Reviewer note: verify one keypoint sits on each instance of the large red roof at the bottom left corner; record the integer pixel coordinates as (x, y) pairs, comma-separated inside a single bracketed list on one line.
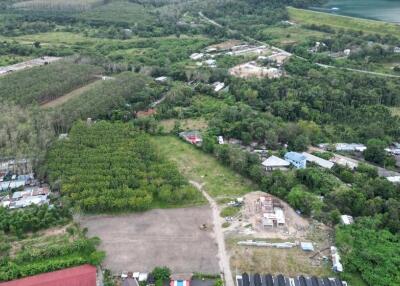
[(84, 275)]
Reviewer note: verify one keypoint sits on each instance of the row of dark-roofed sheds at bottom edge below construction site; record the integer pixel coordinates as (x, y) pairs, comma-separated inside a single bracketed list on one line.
[(280, 280)]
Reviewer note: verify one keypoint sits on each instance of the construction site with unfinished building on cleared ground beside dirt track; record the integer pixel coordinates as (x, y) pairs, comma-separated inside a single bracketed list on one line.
[(269, 236)]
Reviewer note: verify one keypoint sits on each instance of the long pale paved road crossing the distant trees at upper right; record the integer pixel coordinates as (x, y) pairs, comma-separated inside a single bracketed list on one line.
[(212, 22)]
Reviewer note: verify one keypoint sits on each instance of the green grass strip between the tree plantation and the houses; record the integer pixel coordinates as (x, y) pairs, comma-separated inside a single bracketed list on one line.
[(220, 181)]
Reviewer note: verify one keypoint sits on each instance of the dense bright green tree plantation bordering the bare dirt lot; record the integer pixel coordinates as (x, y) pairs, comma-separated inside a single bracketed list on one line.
[(110, 167)]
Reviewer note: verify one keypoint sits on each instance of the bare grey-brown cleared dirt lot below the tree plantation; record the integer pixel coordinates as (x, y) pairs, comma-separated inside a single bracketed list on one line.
[(170, 237)]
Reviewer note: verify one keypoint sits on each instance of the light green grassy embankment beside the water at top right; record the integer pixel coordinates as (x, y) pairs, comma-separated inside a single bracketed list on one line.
[(302, 16)]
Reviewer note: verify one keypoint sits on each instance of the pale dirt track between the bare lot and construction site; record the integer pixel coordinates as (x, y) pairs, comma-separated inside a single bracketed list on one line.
[(223, 256)]
